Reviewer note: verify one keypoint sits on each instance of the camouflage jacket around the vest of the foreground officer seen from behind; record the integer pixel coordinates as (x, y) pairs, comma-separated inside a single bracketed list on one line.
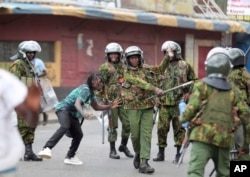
[(213, 133)]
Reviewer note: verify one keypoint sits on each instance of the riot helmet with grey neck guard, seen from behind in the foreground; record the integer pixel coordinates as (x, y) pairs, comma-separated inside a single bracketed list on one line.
[(218, 67)]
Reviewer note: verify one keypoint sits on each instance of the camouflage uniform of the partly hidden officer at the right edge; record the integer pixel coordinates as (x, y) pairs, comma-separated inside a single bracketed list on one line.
[(241, 79)]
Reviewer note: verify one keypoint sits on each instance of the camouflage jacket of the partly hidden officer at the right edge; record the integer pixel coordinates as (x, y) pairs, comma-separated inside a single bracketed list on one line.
[(241, 78)]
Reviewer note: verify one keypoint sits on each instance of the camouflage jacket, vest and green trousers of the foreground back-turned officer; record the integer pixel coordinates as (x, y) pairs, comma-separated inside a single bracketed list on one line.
[(211, 135)]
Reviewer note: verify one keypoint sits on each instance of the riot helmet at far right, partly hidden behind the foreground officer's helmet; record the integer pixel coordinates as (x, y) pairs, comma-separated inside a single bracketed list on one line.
[(237, 57)]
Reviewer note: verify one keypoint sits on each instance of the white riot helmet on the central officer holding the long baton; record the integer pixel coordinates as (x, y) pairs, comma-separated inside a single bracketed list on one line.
[(134, 51)]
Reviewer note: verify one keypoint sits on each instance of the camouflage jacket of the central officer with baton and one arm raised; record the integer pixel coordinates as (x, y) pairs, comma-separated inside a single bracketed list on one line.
[(140, 83)]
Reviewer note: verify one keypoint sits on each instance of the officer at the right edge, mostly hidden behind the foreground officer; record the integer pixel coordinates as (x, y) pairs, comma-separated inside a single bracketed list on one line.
[(240, 77)]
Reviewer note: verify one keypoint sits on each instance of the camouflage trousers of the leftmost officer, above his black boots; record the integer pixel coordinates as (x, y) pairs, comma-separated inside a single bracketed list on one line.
[(26, 132)]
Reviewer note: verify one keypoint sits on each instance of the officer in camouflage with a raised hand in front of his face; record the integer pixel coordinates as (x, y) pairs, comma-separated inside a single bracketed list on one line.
[(178, 72)]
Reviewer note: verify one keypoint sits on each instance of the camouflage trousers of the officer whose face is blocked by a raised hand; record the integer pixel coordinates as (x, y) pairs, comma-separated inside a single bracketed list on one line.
[(168, 114)]
